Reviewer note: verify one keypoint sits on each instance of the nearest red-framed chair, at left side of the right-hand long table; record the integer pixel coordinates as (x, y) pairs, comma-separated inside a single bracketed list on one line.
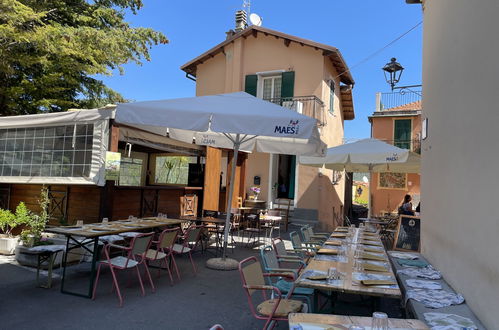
[(277, 308)]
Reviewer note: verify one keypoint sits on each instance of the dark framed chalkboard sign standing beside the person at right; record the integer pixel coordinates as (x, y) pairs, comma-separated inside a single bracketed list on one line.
[(408, 237)]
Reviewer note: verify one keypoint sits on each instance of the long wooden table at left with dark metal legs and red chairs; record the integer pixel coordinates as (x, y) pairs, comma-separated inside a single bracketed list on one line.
[(89, 235)]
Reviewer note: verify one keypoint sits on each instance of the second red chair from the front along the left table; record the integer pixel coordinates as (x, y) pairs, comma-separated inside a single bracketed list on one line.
[(163, 251)]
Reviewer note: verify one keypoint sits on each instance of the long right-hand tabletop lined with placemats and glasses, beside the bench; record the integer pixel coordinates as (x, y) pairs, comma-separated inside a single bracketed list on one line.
[(358, 261)]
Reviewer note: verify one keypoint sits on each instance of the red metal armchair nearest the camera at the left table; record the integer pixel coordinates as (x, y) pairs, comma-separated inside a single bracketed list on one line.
[(138, 247)]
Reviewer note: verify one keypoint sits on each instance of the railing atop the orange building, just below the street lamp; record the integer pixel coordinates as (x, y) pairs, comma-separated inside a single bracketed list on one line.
[(401, 100)]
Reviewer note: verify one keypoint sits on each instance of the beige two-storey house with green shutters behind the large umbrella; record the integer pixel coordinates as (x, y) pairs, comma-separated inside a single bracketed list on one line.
[(305, 76)]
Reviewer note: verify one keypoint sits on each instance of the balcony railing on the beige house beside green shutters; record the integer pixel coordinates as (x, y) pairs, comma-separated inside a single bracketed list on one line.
[(310, 106)]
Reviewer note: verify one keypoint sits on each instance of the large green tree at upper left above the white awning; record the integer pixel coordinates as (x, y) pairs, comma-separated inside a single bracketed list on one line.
[(50, 52)]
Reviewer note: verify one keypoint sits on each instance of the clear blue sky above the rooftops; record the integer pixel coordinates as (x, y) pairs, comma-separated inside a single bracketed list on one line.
[(357, 28)]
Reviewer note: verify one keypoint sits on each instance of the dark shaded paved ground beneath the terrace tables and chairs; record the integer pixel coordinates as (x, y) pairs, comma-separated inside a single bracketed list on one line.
[(195, 302)]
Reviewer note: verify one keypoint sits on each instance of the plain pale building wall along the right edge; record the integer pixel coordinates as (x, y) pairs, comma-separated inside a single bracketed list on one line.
[(460, 164)]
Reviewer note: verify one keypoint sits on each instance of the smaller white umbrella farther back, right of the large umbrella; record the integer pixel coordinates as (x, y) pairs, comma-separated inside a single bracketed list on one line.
[(368, 155)]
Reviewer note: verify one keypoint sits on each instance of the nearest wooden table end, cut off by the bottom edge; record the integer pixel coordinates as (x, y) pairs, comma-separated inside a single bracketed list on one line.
[(340, 320)]
